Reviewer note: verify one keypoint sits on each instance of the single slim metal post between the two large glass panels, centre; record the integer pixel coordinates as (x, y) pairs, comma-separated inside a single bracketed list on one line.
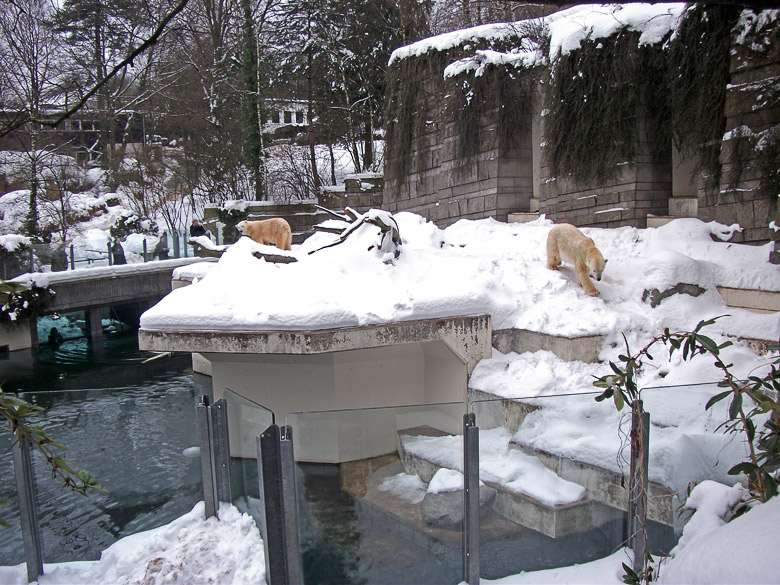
[(470, 499)]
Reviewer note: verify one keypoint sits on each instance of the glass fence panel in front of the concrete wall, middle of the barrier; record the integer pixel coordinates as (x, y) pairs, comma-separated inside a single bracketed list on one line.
[(373, 506)]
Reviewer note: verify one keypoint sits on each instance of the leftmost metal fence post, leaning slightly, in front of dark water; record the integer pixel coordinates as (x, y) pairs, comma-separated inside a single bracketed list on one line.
[(25, 489)]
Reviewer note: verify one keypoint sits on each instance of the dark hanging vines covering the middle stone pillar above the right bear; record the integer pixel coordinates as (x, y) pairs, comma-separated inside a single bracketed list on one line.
[(595, 97)]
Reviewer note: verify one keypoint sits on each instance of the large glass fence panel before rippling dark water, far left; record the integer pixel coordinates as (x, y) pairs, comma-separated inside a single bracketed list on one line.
[(140, 444)]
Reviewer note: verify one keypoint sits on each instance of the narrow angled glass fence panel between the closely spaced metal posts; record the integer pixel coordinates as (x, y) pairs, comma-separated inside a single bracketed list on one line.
[(246, 420)]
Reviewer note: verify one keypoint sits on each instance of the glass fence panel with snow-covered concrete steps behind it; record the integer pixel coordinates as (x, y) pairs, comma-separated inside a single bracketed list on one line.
[(552, 472)]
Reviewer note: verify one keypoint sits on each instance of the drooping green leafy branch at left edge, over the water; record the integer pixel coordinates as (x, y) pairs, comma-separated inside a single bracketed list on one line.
[(18, 413)]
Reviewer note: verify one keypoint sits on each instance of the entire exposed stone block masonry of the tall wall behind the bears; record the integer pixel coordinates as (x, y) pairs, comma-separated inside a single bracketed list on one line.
[(503, 176)]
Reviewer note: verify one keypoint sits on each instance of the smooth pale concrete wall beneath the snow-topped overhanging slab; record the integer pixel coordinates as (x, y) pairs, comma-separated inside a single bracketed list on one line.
[(350, 382)]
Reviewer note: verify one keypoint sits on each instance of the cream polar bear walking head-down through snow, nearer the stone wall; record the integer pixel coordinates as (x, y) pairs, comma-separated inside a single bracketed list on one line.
[(566, 242)]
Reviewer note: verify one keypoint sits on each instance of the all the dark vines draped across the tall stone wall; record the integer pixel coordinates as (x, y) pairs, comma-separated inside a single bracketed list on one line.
[(599, 101)]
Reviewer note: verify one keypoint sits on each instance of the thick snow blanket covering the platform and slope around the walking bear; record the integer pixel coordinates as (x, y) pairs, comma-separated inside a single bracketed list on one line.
[(478, 267)]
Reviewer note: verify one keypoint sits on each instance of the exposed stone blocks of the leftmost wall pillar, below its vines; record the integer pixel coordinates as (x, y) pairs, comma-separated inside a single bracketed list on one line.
[(442, 184)]
